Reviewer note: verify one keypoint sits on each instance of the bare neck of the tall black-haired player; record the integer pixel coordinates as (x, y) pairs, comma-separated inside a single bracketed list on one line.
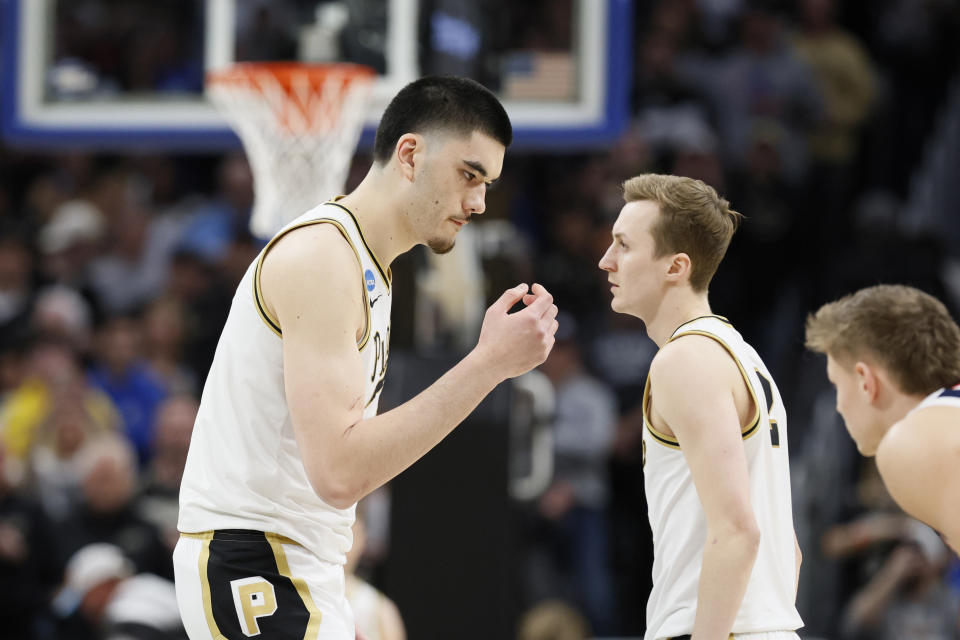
[(373, 206)]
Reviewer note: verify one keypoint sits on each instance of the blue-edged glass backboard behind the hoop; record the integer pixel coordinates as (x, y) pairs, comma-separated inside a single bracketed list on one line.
[(128, 74)]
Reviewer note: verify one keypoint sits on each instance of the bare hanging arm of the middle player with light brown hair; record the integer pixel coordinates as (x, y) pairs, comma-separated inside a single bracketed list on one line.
[(692, 383)]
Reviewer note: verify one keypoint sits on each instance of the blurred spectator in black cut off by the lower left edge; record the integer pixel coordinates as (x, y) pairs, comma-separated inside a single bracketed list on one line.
[(30, 565)]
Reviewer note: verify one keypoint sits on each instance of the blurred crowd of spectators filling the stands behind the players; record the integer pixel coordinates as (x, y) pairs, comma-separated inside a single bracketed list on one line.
[(811, 117)]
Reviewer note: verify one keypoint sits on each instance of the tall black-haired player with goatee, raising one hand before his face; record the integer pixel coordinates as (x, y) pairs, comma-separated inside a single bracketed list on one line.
[(287, 439)]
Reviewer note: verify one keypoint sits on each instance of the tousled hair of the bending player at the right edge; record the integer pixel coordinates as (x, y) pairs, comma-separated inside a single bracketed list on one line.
[(908, 332)]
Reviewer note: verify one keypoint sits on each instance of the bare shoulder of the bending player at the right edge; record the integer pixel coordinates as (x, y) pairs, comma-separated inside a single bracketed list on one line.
[(925, 441)]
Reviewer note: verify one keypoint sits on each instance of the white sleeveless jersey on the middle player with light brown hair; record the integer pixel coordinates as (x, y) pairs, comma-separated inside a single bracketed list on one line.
[(680, 526)]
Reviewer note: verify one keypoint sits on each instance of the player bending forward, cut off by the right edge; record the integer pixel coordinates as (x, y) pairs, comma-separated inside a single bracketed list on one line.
[(893, 353)]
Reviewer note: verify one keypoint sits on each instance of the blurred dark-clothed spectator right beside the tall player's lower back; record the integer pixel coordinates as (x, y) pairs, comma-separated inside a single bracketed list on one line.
[(160, 490)]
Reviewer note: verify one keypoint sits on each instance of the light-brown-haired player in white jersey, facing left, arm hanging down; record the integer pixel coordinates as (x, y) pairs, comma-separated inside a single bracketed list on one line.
[(716, 466)]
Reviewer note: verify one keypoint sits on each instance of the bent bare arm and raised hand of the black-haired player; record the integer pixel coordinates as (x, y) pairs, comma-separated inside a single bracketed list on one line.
[(311, 280)]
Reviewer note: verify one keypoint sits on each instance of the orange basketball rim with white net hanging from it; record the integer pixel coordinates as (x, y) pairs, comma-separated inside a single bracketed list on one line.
[(299, 124)]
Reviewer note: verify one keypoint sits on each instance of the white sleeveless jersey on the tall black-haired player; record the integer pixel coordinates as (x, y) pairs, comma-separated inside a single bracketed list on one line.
[(244, 470)]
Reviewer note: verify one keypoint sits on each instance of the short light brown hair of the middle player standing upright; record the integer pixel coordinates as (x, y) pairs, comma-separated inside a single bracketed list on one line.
[(693, 219)]
